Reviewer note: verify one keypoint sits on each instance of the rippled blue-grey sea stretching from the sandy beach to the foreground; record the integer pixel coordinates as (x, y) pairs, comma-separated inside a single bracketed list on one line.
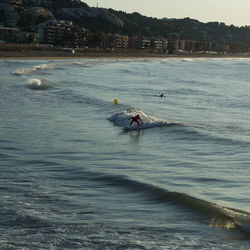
[(74, 175)]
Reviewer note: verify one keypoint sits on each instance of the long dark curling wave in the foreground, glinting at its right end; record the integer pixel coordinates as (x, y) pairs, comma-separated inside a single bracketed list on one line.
[(209, 212)]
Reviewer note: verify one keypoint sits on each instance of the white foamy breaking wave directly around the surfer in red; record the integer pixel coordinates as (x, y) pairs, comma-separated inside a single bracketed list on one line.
[(121, 119)]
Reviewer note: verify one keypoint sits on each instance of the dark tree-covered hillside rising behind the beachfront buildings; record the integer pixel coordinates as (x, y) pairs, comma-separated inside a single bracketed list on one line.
[(18, 13)]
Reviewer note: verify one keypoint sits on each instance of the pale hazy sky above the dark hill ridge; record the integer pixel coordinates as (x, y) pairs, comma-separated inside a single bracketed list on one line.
[(236, 12)]
